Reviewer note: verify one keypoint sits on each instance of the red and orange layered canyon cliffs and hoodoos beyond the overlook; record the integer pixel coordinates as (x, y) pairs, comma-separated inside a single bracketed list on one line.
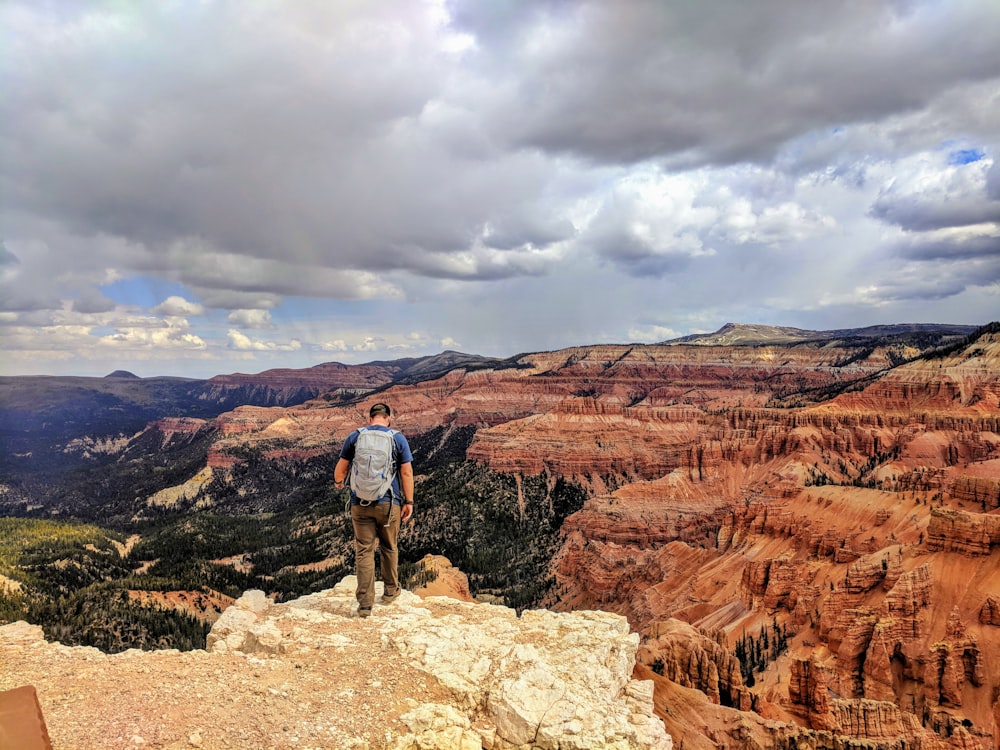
[(803, 531)]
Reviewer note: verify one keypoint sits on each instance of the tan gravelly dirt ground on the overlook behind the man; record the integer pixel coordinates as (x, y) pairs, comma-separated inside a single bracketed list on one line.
[(338, 693)]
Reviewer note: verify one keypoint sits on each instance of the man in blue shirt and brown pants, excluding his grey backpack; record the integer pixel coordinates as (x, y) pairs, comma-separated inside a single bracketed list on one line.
[(376, 521)]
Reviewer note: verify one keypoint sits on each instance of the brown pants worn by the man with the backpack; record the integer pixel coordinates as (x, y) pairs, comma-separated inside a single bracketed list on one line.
[(375, 526)]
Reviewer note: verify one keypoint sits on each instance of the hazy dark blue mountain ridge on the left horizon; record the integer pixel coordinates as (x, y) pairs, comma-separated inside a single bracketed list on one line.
[(42, 417)]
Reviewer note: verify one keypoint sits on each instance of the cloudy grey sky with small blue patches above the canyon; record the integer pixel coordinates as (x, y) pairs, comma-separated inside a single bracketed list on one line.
[(199, 187)]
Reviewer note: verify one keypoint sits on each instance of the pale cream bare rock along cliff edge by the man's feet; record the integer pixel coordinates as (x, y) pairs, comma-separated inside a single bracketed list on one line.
[(539, 680)]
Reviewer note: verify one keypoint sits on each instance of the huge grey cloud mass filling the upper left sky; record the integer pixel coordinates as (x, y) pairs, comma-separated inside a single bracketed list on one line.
[(312, 140)]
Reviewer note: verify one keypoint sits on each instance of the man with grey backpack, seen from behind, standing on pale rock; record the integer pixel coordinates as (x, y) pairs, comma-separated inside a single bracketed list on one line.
[(381, 478)]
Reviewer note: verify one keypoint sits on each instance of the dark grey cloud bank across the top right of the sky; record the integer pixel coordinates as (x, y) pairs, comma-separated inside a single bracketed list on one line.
[(719, 82)]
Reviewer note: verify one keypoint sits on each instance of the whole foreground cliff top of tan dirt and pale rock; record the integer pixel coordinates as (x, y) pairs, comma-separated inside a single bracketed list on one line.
[(420, 673)]
